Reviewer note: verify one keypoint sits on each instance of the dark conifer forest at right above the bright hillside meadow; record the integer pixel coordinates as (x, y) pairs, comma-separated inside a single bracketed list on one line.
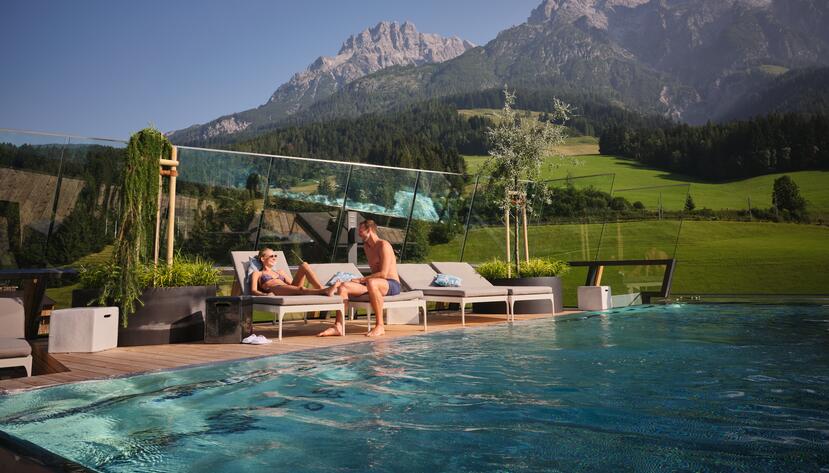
[(769, 144)]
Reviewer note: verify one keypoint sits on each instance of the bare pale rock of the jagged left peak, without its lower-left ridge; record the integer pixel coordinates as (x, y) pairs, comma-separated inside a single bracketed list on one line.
[(387, 44)]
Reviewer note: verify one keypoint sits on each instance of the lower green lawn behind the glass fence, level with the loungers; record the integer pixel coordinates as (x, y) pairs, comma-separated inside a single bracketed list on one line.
[(713, 257)]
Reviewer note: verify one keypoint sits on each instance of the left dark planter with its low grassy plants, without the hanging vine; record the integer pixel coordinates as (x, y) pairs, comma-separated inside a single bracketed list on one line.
[(171, 304)]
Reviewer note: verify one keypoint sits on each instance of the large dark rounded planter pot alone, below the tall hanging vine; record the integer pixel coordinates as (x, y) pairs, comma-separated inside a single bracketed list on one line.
[(169, 315)]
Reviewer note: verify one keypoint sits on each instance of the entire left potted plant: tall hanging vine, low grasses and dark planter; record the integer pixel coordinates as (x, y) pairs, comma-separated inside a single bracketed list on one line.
[(151, 311)]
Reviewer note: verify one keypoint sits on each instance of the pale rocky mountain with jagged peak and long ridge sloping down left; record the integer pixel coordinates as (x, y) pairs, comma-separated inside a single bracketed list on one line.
[(386, 44)]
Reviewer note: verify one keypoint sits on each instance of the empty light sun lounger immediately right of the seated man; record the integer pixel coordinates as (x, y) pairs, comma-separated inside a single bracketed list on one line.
[(419, 277)]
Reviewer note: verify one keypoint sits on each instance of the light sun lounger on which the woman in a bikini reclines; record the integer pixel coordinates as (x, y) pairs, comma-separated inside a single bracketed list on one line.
[(281, 305)]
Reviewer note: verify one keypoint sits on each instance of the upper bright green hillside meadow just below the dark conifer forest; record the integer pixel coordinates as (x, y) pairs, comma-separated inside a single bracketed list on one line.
[(630, 177)]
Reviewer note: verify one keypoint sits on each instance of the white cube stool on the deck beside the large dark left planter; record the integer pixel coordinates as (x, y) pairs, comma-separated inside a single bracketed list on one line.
[(83, 330)]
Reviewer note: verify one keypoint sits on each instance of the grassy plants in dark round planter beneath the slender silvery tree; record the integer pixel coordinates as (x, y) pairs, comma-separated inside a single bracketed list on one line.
[(534, 272)]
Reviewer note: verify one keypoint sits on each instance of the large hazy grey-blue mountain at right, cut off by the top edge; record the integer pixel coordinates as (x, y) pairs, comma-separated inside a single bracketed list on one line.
[(691, 60)]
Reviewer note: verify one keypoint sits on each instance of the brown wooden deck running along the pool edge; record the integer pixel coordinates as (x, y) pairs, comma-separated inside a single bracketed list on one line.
[(297, 336)]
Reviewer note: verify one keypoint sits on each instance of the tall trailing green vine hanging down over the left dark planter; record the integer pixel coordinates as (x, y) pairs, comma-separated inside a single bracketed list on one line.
[(139, 204)]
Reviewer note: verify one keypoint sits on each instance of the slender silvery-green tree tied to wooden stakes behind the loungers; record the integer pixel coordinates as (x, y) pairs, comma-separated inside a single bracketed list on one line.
[(517, 148)]
